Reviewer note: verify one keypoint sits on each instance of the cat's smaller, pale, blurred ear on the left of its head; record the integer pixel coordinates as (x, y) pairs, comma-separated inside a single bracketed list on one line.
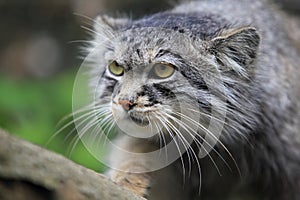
[(104, 23)]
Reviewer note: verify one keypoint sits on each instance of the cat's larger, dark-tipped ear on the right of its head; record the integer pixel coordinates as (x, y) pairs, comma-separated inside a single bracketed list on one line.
[(237, 48)]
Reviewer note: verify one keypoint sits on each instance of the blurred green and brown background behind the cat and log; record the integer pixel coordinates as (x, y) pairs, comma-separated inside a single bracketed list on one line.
[(39, 49)]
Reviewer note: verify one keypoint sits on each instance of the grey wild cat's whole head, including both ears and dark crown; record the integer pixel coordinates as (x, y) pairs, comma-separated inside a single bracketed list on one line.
[(171, 71)]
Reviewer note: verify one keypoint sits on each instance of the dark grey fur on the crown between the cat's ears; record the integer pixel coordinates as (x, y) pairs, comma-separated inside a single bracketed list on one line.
[(194, 24)]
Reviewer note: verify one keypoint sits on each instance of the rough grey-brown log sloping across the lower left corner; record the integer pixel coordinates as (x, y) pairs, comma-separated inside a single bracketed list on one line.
[(30, 172)]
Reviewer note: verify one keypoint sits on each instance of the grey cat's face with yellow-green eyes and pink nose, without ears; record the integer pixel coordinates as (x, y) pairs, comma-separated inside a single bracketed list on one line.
[(148, 82)]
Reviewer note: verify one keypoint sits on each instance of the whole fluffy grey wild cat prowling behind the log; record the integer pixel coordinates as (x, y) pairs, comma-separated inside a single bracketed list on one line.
[(232, 57)]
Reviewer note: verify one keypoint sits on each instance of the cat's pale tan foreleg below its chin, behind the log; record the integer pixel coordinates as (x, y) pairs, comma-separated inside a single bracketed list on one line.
[(128, 171)]
